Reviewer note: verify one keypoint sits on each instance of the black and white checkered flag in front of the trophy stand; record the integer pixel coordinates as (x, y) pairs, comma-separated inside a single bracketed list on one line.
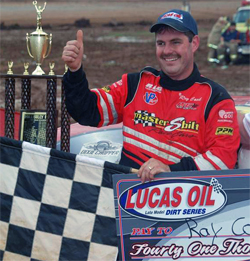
[(54, 205)]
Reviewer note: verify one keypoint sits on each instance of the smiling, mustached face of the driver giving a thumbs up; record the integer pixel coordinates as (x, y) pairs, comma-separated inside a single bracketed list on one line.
[(175, 53)]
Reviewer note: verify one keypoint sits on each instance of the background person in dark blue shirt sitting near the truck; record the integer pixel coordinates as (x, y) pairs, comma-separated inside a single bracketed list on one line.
[(229, 39)]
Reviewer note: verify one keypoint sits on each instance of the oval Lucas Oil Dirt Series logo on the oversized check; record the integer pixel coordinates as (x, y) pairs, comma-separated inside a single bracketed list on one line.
[(173, 199)]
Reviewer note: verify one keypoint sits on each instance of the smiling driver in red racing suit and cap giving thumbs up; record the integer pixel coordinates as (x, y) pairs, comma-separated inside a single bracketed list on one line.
[(173, 119)]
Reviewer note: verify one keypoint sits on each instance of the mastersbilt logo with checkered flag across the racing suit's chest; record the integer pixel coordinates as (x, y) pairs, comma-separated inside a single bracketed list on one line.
[(149, 119)]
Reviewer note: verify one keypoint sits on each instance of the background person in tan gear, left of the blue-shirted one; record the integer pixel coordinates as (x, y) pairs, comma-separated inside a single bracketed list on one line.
[(213, 39)]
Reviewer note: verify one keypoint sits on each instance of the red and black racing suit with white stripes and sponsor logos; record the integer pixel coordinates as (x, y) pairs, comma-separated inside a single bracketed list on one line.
[(189, 124)]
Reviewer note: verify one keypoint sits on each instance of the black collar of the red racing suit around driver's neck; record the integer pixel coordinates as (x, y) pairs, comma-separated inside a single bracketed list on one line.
[(174, 85)]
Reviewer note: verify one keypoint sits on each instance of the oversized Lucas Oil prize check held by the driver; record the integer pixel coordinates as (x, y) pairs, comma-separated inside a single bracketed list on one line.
[(197, 215)]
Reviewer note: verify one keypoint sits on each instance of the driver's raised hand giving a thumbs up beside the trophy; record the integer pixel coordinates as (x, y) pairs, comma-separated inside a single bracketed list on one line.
[(73, 52)]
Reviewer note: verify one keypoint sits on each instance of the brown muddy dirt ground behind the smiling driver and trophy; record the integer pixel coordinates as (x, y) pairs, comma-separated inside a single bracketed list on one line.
[(116, 42)]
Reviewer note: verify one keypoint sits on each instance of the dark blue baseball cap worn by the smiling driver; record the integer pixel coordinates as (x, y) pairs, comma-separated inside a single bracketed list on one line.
[(180, 20)]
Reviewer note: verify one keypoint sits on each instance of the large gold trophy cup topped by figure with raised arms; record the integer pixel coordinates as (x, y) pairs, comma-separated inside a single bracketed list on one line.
[(38, 42)]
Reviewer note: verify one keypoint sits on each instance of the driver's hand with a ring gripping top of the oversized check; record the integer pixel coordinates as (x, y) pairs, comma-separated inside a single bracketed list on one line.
[(150, 168)]
